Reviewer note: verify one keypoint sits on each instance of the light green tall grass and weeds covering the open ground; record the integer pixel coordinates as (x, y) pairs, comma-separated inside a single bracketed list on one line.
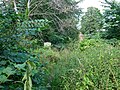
[(88, 65)]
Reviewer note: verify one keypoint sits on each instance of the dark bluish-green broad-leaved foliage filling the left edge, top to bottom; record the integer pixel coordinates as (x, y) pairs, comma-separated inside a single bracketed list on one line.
[(17, 40)]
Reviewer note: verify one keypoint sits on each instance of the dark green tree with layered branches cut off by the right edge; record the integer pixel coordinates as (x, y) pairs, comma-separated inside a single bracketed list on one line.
[(112, 19)]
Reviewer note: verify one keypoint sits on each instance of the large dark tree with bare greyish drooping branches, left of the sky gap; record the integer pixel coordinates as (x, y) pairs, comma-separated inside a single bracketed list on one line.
[(63, 16)]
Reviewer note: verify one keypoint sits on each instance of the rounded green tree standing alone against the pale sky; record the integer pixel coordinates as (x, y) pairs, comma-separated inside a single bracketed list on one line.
[(92, 21)]
